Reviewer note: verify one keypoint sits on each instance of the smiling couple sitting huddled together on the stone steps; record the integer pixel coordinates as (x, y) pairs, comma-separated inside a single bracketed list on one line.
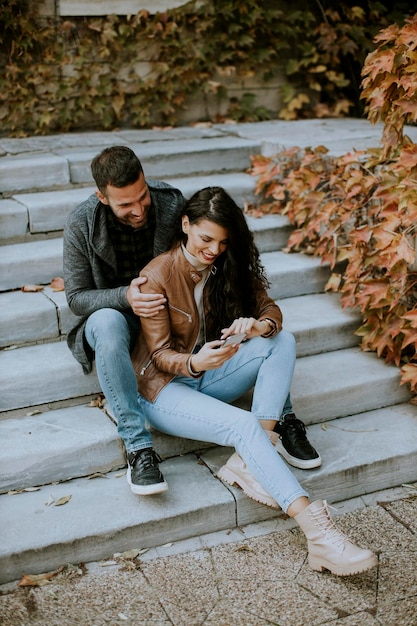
[(172, 322)]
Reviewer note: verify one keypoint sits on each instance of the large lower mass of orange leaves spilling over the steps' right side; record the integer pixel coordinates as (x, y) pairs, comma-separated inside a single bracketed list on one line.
[(359, 214)]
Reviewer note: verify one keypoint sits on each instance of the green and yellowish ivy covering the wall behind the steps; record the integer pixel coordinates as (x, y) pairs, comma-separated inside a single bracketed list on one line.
[(141, 70)]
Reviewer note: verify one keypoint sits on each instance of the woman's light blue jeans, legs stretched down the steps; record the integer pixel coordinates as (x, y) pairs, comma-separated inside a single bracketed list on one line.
[(198, 408)]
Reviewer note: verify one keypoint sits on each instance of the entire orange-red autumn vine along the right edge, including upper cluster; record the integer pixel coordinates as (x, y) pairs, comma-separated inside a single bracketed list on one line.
[(358, 212)]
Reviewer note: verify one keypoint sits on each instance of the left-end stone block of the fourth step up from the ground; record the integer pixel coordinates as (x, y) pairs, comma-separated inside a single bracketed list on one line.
[(26, 317)]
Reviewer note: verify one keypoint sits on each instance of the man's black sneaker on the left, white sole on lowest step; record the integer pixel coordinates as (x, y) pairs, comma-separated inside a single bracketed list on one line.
[(143, 474)]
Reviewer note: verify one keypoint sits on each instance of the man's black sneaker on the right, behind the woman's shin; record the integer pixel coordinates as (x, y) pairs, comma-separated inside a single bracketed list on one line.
[(293, 444)]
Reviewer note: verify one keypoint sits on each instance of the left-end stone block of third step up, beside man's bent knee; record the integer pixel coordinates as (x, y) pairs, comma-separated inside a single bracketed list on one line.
[(41, 374)]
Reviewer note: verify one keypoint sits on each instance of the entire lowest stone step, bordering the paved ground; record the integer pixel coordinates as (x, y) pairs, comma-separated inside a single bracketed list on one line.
[(361, 454)]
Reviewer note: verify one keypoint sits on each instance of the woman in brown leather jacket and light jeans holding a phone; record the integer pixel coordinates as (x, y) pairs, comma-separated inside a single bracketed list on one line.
[(215, 287)]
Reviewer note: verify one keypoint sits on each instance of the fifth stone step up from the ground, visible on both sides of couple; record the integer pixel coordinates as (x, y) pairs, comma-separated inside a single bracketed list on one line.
[(38, 262)]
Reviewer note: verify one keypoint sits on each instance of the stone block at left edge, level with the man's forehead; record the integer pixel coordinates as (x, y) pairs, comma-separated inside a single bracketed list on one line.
[(32, 171)]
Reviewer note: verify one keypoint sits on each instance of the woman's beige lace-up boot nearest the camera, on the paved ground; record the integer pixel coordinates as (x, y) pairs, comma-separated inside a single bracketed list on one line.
[(328, 547)]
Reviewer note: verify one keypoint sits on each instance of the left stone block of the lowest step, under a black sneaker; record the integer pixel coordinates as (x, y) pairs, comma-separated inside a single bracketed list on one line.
[(104, 517)]
